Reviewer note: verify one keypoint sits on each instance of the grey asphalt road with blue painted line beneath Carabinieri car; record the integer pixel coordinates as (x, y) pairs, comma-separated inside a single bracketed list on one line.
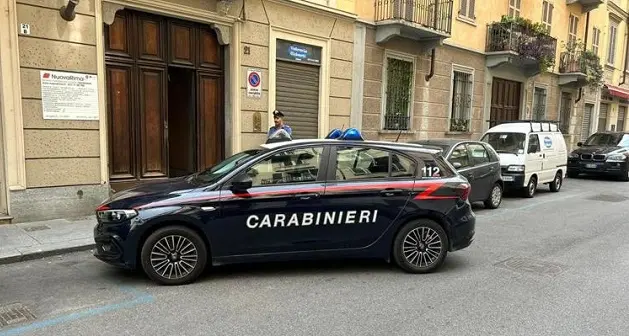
[(566, 274)]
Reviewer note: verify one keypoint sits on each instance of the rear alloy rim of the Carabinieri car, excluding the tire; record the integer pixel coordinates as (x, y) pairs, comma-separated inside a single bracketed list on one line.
[(422, 246)]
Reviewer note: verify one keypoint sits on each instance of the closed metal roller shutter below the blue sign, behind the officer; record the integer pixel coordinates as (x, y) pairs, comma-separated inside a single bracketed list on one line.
[(297, 95)]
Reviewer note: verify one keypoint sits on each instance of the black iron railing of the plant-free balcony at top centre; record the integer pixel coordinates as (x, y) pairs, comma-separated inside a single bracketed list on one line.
[(432, 14)]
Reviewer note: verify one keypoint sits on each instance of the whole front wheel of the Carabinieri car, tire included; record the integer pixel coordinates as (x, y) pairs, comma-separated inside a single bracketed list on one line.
[(177, 239)]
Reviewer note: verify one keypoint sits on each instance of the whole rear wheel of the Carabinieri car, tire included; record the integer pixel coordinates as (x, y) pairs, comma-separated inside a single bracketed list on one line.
[(412, 261)]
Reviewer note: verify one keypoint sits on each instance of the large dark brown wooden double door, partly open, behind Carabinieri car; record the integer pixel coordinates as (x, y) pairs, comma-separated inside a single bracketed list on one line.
[(165, 82)]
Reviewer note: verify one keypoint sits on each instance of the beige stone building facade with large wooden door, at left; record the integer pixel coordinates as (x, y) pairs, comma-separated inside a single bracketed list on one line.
[(114, 93)]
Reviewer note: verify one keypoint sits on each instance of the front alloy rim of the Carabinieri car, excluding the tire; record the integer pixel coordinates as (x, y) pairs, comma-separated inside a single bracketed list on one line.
[(174, 257)]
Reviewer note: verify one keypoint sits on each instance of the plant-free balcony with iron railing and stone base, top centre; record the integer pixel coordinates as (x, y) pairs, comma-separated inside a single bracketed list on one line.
[(426, 21)]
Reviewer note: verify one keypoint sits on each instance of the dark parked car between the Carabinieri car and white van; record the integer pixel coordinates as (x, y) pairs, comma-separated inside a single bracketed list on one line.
[(478, 162)]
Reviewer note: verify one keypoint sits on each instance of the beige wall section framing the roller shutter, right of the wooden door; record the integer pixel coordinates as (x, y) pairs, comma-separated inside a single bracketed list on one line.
[(268, 20)]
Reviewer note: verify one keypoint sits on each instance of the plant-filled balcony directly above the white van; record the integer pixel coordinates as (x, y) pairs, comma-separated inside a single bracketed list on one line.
[(518, 45)]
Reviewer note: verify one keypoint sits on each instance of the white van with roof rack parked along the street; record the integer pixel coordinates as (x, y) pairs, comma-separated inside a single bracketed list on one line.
[(531, 153)]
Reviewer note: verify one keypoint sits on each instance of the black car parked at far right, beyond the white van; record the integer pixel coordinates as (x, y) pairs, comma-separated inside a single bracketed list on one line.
[(603, 153)]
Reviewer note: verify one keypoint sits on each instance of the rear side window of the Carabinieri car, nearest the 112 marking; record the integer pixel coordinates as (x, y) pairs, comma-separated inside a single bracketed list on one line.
[(354, 163)]
